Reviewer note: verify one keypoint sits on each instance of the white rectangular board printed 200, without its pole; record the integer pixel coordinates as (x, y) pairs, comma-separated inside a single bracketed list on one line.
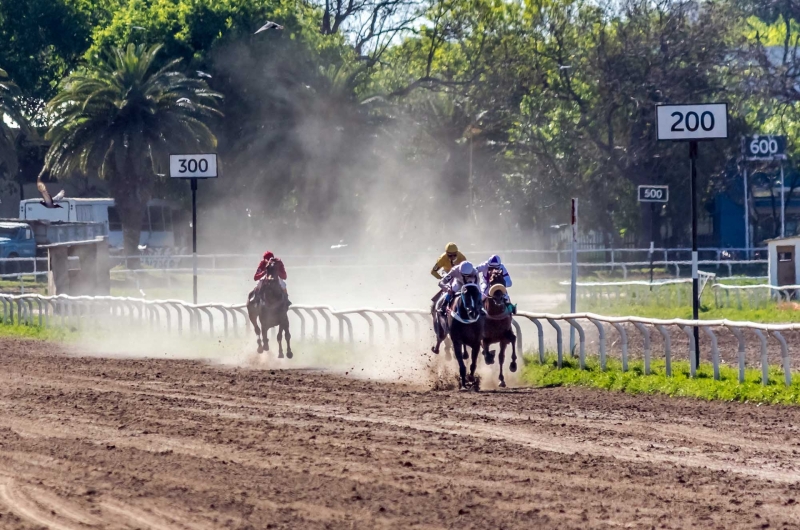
[(692, 122)]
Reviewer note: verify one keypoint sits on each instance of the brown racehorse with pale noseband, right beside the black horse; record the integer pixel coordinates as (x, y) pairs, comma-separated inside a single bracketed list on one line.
[(498, 327)]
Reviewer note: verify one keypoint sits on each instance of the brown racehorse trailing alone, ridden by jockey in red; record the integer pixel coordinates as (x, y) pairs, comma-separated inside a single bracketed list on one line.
[(269, 303)]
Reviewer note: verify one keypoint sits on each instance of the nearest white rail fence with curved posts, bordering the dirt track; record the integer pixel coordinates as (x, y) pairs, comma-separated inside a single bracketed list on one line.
[(213, 319)]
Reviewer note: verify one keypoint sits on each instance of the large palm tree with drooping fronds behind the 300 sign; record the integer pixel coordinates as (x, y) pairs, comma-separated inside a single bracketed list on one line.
[(120, 117)]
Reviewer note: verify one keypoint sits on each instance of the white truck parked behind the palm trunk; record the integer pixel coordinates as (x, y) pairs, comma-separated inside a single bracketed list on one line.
[(157, 229)]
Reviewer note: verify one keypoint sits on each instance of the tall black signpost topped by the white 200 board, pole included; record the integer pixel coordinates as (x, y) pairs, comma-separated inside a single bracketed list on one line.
[(693, 123)]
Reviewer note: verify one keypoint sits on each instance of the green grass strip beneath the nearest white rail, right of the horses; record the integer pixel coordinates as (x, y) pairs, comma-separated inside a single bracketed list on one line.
[(634, 381)]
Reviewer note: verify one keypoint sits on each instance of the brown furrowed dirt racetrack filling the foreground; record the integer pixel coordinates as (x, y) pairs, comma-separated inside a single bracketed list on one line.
[(89, 442)]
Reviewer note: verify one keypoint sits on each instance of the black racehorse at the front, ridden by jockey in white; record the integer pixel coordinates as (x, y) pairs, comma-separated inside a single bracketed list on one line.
[(466, 321)]
